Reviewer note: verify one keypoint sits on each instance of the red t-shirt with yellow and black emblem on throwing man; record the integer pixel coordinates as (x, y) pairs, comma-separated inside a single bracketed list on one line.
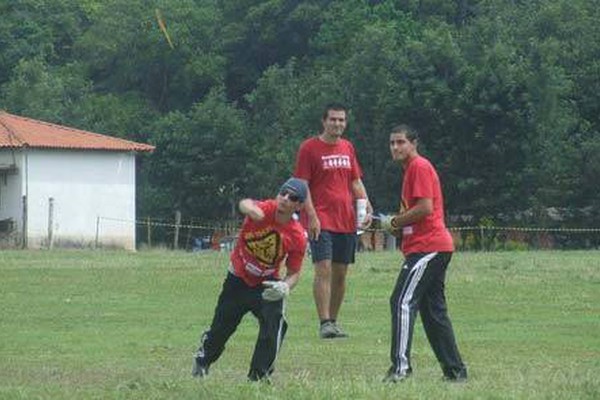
[(262, 246)]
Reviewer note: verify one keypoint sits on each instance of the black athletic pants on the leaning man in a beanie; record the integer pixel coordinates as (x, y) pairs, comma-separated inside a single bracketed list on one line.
[(235, 301)]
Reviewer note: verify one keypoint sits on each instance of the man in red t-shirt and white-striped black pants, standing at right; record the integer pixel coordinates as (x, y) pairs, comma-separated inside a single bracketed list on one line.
[(427, 247)]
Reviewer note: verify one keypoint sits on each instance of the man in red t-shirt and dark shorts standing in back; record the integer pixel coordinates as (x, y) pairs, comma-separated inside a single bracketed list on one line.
[(329, 165)]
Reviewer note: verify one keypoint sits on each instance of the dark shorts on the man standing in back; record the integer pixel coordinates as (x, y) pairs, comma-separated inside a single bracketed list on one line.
[(337, 247)]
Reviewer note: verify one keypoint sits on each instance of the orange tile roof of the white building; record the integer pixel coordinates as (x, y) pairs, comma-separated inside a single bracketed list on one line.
[(18, 132)]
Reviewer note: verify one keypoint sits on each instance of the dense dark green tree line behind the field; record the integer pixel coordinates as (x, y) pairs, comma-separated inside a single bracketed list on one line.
[(505, 93)]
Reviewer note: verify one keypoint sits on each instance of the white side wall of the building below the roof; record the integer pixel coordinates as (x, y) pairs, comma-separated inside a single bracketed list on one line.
[(87, 187)]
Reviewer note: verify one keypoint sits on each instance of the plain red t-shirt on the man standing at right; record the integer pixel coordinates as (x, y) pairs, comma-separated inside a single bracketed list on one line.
[(429, 234)]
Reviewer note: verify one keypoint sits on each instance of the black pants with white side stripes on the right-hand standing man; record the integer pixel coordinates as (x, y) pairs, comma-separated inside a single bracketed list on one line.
[(420, 287)]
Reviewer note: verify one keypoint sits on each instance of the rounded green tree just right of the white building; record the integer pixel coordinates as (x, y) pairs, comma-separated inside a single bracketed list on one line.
[(199, 166)]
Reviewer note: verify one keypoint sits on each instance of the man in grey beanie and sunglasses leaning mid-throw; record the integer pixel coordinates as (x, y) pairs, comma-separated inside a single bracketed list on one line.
[(270, 235)]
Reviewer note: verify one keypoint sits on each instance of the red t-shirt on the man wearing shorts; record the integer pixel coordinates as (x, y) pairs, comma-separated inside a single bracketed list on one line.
[(330, 170)]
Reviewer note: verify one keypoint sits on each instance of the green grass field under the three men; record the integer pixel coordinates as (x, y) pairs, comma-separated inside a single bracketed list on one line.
[(117, 325)]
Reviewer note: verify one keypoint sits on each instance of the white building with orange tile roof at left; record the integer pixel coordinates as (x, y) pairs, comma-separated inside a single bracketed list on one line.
[(65, 187)]
